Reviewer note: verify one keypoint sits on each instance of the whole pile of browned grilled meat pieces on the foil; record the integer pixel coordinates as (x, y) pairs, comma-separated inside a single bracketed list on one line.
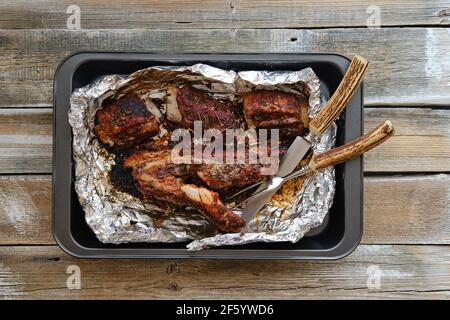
[(129, 123)]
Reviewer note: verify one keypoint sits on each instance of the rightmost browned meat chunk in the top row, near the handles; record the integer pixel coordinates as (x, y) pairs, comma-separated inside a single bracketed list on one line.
[(275, 109)]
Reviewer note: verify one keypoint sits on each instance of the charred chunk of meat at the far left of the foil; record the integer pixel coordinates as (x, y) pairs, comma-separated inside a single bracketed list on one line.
[(125, 122)]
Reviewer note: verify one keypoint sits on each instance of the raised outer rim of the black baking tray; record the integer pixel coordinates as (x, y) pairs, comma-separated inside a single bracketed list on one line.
[(66, 241)]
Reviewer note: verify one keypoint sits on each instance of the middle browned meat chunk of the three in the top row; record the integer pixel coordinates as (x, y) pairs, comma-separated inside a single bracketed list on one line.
[(198, 105)]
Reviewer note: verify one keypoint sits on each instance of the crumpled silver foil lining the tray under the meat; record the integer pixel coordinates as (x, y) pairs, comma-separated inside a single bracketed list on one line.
[(118, 217)]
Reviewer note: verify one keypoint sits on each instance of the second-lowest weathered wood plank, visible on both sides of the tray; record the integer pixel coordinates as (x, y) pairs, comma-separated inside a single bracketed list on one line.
[(398, 210)]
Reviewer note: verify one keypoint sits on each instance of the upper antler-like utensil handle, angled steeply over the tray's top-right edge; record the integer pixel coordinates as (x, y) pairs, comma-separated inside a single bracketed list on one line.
[(343, 94)]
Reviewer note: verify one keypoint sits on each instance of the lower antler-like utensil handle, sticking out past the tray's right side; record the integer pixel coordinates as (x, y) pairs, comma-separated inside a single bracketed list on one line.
[(353, 149)]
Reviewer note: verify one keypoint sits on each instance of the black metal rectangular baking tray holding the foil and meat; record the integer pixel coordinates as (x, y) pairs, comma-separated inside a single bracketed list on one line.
[(336, 238)]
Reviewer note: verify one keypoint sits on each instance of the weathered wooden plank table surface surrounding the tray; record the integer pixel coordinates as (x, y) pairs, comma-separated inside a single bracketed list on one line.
[(407, 183)]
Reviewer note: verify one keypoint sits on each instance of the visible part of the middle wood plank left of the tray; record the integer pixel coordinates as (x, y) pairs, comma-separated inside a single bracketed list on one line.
[(25, 140)]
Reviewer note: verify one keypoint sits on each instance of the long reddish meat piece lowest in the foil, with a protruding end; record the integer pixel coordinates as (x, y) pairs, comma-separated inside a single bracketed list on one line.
[(158, 178)]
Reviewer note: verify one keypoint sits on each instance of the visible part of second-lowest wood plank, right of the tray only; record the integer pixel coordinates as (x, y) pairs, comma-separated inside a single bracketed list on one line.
[(407, 209)]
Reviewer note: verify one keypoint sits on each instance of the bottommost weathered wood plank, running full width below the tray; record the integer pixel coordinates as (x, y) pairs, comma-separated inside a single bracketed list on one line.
[(405, 272)]
